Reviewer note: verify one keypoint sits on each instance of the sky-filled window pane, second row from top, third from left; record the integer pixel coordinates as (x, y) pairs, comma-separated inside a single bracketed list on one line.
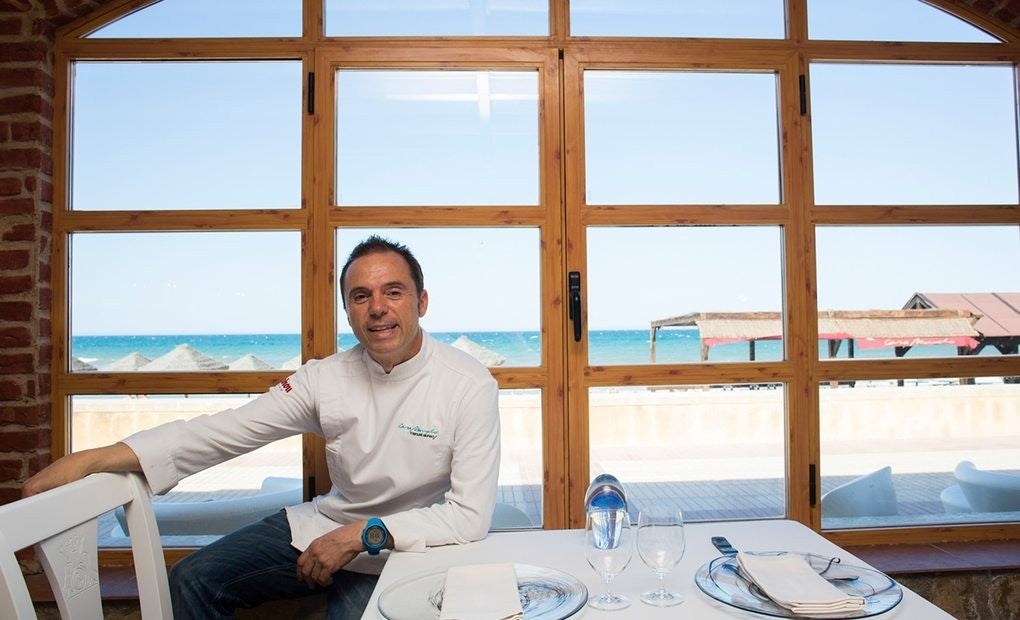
[(678, 137)]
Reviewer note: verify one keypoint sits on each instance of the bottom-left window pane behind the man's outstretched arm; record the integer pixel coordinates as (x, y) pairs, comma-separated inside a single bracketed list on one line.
[(239, 492)]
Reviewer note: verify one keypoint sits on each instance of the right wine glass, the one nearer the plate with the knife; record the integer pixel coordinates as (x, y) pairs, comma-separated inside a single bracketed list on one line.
[(661, 545)]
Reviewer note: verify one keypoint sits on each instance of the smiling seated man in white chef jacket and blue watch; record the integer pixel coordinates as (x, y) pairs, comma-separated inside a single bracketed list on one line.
[(413, 441)]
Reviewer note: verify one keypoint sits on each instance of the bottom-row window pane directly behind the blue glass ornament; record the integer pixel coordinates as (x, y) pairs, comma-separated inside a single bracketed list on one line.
[(717, 453)]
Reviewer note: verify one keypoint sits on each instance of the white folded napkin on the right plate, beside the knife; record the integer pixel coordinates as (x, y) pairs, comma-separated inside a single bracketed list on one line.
[(789, 581)]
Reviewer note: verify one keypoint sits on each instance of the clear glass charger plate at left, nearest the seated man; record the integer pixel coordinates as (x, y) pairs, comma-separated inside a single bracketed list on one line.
[(546, 594)]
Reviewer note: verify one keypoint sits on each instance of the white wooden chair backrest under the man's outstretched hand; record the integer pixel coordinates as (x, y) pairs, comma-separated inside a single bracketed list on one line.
[(63, 525)]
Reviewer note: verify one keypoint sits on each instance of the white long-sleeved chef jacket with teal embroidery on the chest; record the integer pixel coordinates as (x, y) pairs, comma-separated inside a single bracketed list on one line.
[(419, 447)]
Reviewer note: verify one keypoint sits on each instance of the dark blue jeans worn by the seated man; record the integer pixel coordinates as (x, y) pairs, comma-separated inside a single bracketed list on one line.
[(252, 566)]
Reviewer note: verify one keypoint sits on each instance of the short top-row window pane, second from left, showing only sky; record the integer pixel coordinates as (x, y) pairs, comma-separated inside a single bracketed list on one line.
[(436, 18)]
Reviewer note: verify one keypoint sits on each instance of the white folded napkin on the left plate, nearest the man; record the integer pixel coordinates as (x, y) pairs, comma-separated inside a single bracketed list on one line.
[(482, 592)]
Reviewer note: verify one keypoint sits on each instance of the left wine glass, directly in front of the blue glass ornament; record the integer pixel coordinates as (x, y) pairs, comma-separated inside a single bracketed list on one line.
[(608, 547)]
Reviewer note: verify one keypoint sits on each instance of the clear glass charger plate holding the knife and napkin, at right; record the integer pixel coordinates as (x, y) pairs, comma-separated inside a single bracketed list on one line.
[(723, 581)]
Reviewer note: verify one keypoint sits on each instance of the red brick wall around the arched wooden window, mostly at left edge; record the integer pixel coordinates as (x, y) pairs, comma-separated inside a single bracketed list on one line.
[(27, 34)]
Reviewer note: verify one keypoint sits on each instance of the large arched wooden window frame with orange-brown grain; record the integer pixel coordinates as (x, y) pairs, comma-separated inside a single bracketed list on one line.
[(562, 217)]
